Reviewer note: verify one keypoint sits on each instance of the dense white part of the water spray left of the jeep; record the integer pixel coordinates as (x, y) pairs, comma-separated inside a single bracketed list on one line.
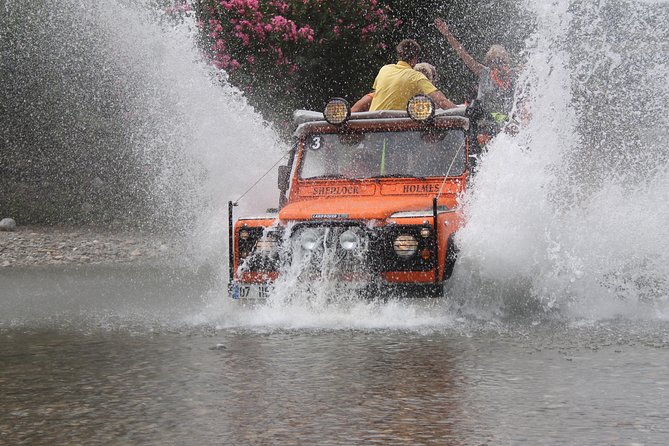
[(201, 130)]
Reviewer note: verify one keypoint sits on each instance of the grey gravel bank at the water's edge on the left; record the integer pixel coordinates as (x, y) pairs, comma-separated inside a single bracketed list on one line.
[(32, 246)]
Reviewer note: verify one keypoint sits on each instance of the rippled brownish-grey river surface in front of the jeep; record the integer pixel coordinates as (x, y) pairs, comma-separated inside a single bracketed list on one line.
[(114, 356)]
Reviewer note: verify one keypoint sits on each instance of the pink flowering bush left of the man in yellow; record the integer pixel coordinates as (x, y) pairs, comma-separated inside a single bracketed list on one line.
[(287, 54)]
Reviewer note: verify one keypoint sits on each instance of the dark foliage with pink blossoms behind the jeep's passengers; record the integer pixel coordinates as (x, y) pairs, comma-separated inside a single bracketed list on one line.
[(281, 70)]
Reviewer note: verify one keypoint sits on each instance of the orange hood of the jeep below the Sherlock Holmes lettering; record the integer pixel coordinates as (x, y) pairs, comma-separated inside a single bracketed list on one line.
[(357, 208)]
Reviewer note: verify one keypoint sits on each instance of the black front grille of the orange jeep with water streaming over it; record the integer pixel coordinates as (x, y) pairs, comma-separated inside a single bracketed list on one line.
[(374, 256)]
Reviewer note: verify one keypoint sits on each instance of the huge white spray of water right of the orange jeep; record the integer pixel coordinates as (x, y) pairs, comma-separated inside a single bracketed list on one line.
[(571, 214)]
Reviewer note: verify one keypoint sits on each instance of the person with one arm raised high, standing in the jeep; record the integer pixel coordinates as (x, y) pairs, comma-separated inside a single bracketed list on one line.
[(495, 96)]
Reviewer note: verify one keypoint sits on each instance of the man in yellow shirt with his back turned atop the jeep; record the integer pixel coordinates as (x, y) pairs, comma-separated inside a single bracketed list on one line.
[(397, 83)]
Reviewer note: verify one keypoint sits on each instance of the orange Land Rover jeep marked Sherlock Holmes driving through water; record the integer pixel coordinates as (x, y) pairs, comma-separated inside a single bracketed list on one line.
[(373, 193)]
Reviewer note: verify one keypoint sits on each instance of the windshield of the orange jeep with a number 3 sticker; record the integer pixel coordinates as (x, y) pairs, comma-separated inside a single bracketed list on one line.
[(434, 153)]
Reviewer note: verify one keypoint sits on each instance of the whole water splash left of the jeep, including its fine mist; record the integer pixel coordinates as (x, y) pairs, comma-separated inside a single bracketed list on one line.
[(127, 80)]
